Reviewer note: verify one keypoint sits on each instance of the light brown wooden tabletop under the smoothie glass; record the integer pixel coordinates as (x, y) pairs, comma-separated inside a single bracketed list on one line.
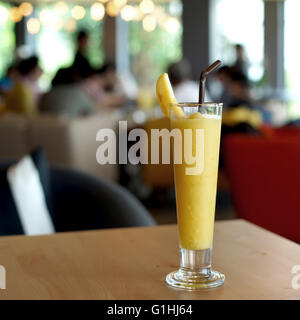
[(132, 264)]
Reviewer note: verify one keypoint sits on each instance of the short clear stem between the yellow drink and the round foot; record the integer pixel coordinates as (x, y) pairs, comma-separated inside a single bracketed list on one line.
[(196, 261)]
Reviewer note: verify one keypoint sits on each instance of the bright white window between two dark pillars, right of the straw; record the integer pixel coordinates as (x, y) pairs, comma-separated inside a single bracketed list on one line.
[(237, 21)]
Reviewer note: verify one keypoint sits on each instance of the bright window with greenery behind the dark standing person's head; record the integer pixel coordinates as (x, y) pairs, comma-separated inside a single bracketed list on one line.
[(55, 43)]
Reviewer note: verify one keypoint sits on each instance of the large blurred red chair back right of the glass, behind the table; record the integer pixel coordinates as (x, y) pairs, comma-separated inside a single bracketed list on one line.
[(264, 179)]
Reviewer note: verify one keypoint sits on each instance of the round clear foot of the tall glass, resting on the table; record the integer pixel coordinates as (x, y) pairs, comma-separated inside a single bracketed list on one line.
[(194, 280)]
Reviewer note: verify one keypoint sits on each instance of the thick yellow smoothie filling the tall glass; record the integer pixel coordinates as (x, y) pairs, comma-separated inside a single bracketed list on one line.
[(196, 194)]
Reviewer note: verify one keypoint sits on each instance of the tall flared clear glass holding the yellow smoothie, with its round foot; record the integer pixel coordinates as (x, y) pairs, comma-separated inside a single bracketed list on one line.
[(196, 187)]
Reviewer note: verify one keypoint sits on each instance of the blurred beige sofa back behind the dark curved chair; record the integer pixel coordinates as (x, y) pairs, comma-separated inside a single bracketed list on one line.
[(67, 142)]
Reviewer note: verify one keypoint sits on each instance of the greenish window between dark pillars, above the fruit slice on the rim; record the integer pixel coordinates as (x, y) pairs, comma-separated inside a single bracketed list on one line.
[(152, 51)]
